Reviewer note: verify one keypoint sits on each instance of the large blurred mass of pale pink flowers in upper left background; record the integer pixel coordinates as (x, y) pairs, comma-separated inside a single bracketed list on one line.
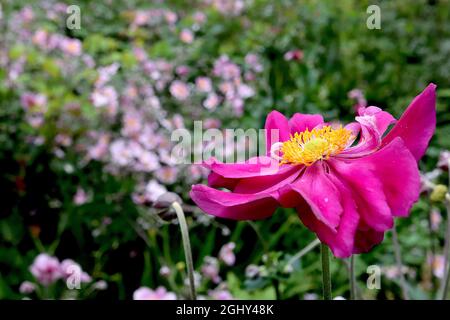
[(121, 118)]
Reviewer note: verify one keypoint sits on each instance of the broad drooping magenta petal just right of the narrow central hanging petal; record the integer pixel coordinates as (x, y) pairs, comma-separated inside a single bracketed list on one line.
[(367, 191)]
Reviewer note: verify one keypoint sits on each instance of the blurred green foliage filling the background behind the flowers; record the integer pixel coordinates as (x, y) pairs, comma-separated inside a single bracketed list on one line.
[(334, 52)]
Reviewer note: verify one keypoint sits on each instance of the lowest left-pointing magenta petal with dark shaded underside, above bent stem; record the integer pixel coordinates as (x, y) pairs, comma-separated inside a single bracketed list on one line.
[(233, 205)]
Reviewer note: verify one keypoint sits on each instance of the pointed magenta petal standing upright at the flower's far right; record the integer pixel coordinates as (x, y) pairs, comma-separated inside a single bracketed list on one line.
[(417, 124)]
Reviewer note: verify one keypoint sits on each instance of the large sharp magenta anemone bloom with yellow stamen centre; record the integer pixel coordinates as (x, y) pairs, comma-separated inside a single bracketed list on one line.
[(346, 183)]
